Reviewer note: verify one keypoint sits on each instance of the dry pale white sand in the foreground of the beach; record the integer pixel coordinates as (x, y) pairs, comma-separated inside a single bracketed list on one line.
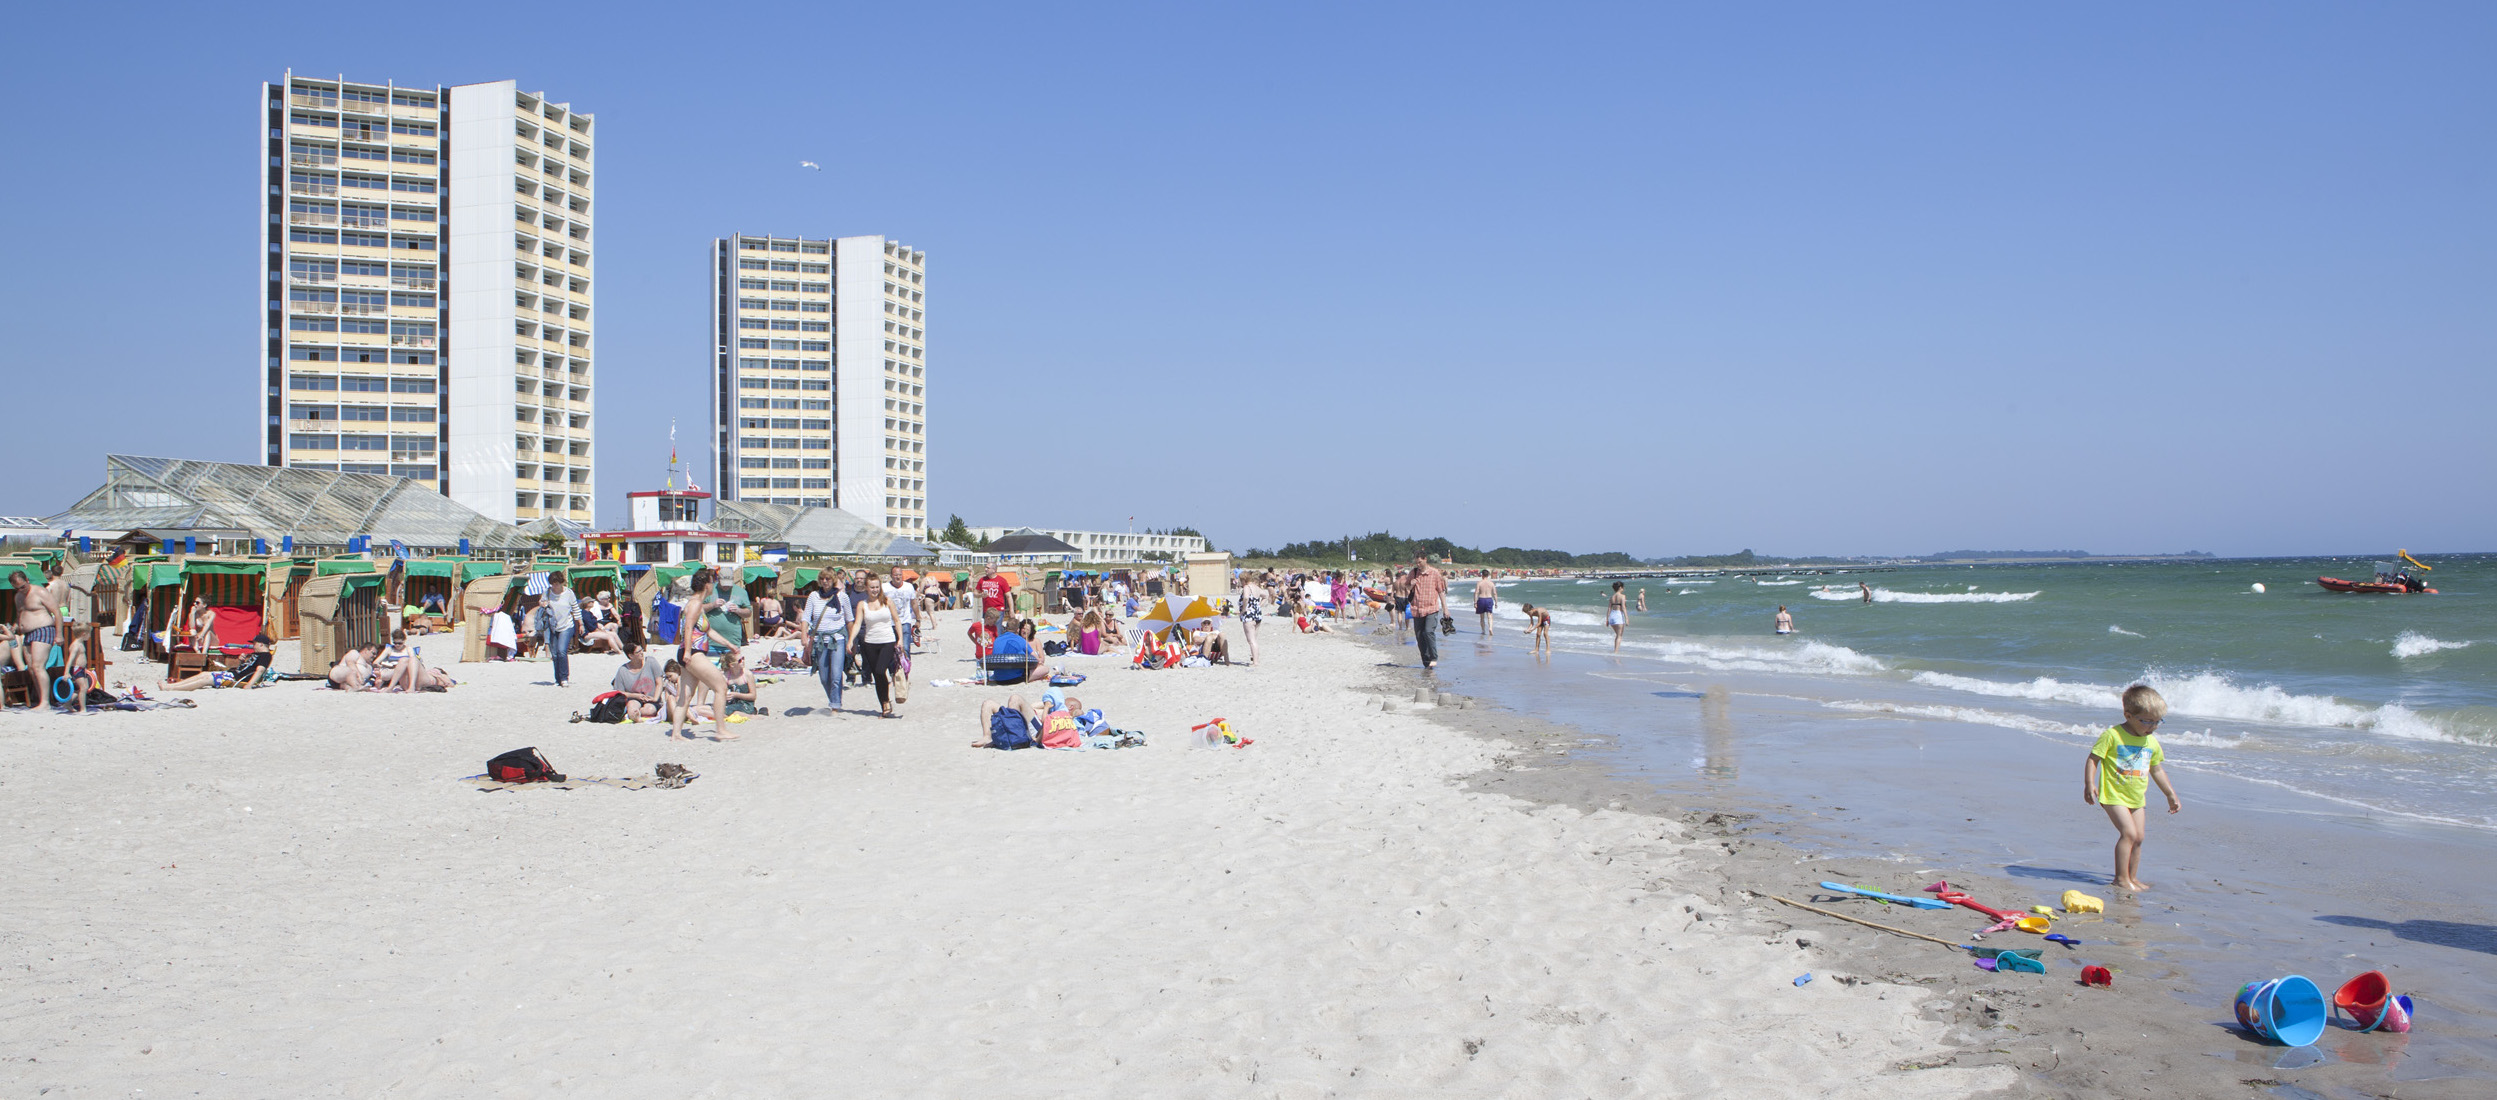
[(291, 894)]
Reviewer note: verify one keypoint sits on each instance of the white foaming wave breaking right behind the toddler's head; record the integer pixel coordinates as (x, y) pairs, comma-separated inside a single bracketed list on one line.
[(2219, 697)]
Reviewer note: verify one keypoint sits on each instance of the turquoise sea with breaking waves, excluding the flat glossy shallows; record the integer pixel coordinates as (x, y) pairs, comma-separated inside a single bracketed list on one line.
[(2383, 705)]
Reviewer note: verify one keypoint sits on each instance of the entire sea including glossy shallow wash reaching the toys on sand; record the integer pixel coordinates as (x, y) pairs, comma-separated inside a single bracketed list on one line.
[(2336, 752)]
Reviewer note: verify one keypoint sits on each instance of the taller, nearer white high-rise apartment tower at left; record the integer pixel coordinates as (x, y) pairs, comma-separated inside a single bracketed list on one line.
[(431, 291)]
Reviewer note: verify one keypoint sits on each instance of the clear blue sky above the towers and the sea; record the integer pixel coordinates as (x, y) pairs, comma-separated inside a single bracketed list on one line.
[(1652, 278)]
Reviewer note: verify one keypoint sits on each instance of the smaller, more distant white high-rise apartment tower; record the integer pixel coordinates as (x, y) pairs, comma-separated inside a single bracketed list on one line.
[(820, 378)]
